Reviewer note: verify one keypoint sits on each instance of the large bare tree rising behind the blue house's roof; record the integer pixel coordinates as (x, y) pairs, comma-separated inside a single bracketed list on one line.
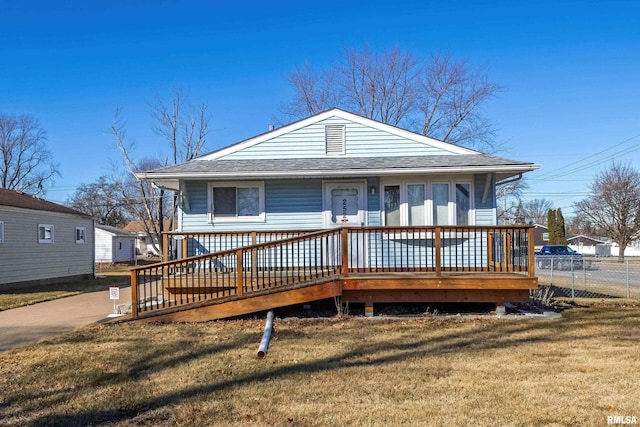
[(441, 97)]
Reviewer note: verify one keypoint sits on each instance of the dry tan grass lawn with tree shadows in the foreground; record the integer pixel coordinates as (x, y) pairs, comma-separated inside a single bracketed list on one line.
[(333, 372)]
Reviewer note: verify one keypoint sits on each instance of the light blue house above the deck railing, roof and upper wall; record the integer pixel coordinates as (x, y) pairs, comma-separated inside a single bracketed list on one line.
[(335, 169)]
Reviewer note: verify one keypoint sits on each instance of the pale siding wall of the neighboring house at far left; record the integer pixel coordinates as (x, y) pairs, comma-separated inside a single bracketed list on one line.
[(23, 259)]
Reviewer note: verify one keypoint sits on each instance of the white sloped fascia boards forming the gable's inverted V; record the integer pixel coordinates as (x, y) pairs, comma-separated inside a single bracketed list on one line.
[(335, 112)]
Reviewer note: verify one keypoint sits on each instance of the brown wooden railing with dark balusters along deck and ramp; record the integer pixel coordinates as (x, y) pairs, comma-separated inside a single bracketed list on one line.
[(314, 257)]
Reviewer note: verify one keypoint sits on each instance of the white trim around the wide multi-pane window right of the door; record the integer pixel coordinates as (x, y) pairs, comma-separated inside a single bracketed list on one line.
[(428, 203)]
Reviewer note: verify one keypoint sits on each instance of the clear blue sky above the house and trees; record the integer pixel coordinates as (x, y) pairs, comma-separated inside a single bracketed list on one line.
[(570, 71)]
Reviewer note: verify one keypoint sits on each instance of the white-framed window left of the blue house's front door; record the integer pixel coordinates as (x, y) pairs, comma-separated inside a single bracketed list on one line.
[(236, 201)]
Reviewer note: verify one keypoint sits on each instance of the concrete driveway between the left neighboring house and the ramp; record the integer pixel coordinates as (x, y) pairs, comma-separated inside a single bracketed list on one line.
[(46, 320)]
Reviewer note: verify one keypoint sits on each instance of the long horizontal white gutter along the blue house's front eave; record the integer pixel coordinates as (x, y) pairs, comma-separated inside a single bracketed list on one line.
[(513, 169)]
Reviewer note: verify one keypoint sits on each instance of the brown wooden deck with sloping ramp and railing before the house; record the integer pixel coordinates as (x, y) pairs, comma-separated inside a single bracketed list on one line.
[(321, 265)]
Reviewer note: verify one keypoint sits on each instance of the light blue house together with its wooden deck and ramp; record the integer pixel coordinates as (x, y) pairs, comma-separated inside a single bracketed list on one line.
[(404, 218)]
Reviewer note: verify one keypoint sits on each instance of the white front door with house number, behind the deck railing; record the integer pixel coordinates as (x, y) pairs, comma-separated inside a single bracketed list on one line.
[(345, 205)]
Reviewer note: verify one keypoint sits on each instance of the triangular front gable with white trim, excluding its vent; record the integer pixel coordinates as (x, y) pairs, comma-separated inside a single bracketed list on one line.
[(363, 138)]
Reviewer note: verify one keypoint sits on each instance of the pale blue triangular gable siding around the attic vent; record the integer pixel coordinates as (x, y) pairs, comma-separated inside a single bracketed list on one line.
[(360, 141)]
